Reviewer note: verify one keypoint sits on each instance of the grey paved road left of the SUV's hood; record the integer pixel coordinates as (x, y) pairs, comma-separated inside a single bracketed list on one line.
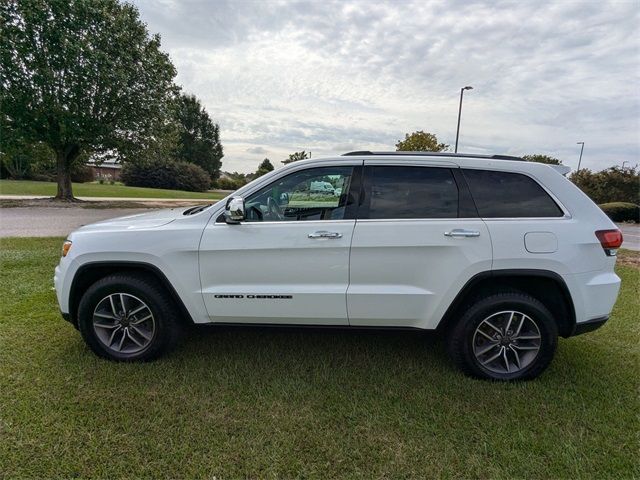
[(53, 221)]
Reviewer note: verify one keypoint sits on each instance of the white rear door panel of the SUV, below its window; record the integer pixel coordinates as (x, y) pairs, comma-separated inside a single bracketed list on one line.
[(405, 273)]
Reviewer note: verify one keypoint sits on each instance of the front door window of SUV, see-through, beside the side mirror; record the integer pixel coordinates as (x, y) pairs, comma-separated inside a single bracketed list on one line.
[(312, 194)]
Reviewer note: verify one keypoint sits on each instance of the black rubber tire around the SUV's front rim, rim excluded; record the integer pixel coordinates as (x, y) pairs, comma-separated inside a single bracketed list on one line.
[(166, 324)]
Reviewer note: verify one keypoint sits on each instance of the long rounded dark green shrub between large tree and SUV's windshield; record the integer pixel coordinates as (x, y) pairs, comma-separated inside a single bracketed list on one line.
[(166, 174)]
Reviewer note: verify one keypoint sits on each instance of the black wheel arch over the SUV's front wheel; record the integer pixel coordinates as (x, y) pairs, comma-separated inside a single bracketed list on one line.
[(90, 273)]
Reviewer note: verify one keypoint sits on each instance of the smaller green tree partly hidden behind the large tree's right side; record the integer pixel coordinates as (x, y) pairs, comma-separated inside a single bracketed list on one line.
[(198, 136)]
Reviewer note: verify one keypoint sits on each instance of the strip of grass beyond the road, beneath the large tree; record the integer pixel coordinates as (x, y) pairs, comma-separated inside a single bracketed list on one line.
[(28, 187)]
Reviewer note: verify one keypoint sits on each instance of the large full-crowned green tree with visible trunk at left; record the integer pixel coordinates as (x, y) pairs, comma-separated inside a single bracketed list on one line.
[(81, 77)]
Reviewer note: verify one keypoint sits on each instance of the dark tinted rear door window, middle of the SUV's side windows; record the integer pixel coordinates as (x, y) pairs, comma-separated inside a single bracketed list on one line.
[(411, 192)]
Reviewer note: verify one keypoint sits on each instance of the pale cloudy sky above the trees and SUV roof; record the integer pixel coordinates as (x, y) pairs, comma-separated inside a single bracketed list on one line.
[(329, 77)]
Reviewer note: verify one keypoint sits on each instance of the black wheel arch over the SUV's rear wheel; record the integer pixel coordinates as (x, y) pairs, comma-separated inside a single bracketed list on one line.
[(546, 286)]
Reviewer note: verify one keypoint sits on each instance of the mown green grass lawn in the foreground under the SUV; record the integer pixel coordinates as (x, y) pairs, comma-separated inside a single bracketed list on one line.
[(268, 403)]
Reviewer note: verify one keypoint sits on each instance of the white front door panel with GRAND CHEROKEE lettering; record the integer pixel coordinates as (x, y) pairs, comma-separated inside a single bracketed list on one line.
[(274, 273)]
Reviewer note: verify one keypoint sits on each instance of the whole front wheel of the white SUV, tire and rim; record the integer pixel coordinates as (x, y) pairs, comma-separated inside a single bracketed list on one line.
[(128, 318)]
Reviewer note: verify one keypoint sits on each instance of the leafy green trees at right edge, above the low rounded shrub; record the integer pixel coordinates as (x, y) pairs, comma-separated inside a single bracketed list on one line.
[(615, 184)]
